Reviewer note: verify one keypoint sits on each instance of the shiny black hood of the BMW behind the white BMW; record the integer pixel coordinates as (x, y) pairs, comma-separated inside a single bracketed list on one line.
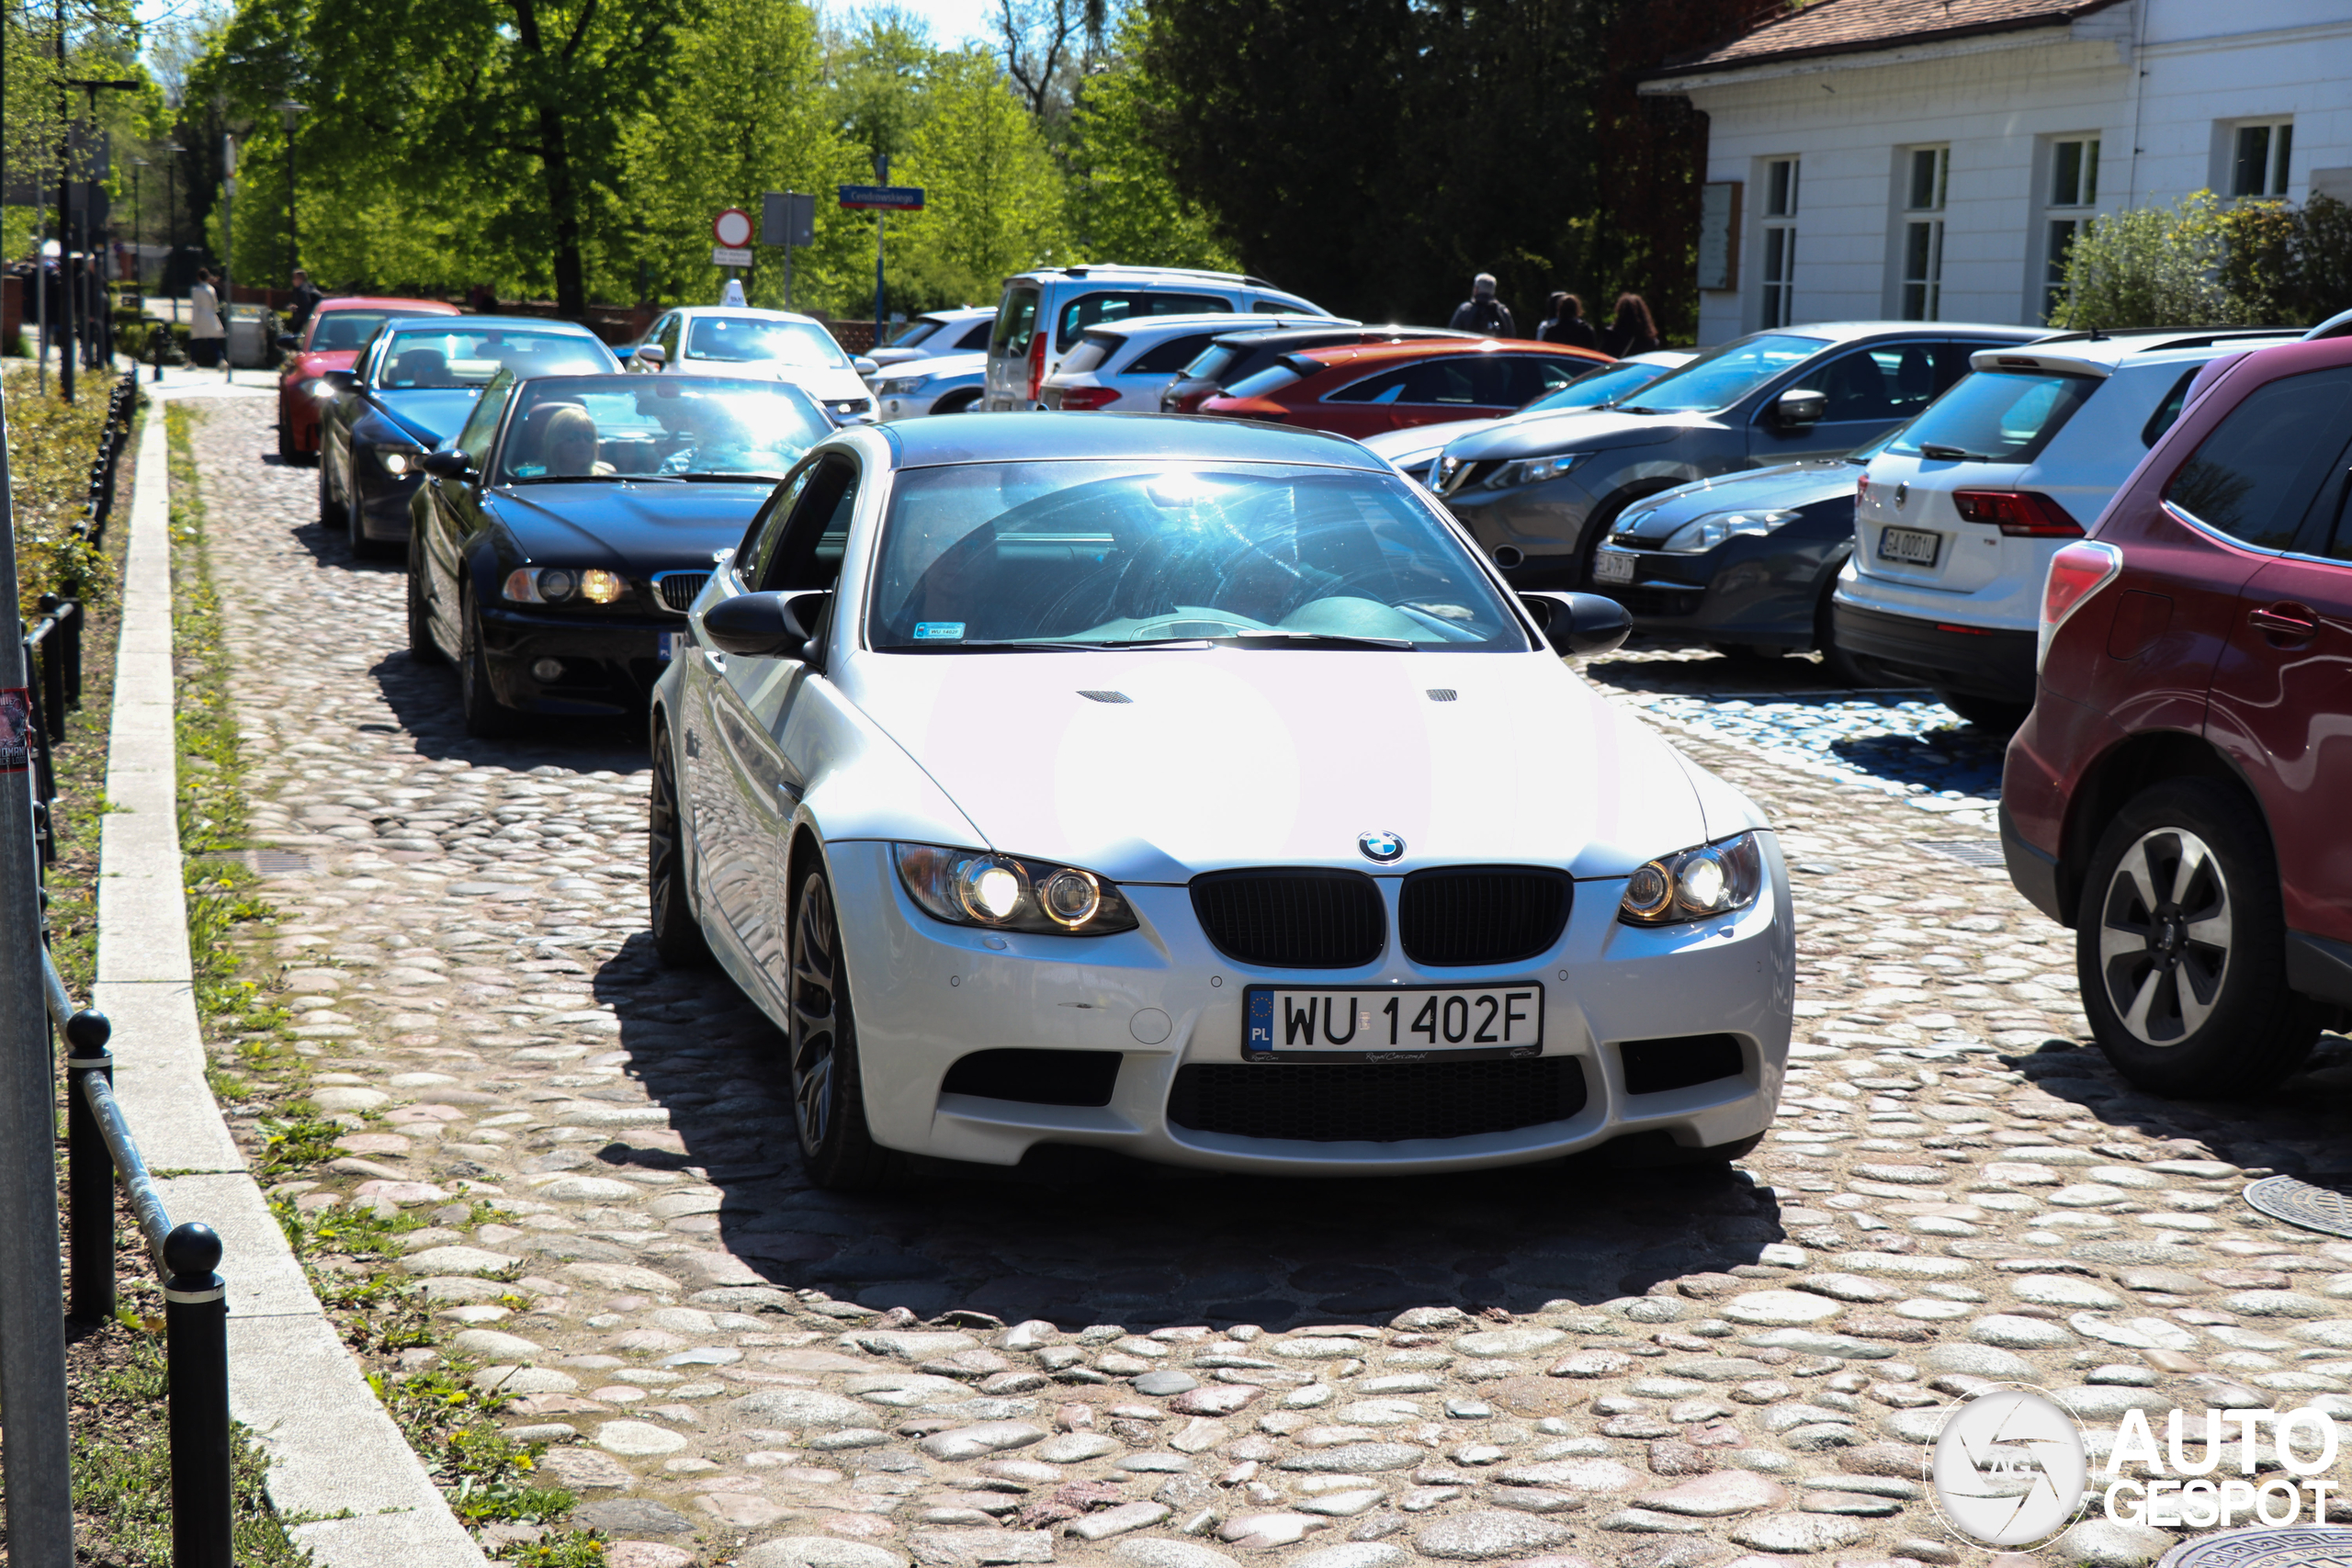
[(627, 525)]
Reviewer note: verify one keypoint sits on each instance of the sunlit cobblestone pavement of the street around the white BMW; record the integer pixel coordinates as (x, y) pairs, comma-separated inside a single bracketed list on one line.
[(1180, 1372)]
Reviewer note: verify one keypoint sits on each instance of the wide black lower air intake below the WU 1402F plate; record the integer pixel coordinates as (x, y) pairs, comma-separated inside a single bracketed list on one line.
[(1377, 1101)]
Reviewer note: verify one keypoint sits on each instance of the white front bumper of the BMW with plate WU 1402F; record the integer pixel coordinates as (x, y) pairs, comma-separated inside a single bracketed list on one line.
[(1163, 1000)]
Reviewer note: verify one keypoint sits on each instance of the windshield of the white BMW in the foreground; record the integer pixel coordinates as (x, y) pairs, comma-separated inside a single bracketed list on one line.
[(1118, 554)]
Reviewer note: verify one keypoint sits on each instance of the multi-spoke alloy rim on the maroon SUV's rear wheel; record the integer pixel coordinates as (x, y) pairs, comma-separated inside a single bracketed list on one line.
[(2165, 937)]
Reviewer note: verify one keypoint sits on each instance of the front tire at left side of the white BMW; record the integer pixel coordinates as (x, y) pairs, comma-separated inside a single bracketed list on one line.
[(822, 1052)]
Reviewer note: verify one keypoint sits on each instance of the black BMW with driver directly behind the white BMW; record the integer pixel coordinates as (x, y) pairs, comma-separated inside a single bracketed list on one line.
[(556, 544)]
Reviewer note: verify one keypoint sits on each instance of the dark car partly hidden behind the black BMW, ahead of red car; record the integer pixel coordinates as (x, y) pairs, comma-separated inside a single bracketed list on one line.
[(410, 391)]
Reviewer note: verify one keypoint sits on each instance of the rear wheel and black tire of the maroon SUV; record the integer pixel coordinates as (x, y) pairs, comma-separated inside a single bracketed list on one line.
[(2181, 946)]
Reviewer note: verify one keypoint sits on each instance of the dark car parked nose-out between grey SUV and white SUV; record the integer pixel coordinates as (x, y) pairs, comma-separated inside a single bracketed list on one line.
[(1744, 563)]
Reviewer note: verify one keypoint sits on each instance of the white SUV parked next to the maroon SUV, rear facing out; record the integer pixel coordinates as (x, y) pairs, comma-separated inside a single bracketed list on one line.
[(1963, 511)]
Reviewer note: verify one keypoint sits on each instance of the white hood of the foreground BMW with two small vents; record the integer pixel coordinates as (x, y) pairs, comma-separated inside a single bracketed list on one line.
[(1234, 758)]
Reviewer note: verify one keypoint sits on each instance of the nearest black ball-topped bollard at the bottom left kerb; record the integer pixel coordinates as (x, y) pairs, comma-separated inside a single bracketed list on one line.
[(196, 1383)]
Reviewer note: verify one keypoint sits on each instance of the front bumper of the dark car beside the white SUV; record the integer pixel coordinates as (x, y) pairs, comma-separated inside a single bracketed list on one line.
[(1756, 589)]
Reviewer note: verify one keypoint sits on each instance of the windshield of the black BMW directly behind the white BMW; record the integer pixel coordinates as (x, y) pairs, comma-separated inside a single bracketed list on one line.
[(643, 429)]
